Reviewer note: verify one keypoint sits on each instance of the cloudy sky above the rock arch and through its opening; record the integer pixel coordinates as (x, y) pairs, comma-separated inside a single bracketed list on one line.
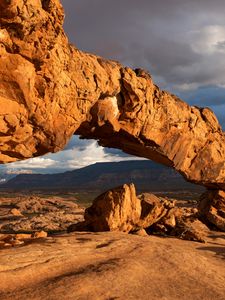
[(181, 43)]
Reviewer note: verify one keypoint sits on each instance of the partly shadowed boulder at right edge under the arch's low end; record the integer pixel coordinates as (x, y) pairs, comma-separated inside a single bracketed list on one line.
[(212, 208)]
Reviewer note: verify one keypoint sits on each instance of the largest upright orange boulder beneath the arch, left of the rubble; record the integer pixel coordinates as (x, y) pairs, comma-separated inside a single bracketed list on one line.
[(116, 210)]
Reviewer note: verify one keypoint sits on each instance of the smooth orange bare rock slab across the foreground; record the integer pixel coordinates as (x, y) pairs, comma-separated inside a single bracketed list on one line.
[(113, 266)]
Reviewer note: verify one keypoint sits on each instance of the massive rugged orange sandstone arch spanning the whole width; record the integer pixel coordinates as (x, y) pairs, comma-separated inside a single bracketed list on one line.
[(49, 91)]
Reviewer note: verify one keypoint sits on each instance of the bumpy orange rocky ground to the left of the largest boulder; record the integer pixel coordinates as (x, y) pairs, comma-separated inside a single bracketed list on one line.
[(32, 213)]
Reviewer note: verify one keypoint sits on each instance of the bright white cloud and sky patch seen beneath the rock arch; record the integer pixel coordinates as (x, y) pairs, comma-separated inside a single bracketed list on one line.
[(78, 154)]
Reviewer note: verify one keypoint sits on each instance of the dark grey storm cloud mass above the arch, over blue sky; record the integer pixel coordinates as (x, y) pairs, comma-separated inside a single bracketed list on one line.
[(180, 42)]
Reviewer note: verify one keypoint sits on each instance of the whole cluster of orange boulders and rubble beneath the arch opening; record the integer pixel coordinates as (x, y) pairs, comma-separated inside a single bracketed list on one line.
[(120, 209)]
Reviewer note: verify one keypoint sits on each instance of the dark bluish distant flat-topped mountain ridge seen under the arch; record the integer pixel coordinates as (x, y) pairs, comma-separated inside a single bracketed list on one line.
[(145, 174)]
